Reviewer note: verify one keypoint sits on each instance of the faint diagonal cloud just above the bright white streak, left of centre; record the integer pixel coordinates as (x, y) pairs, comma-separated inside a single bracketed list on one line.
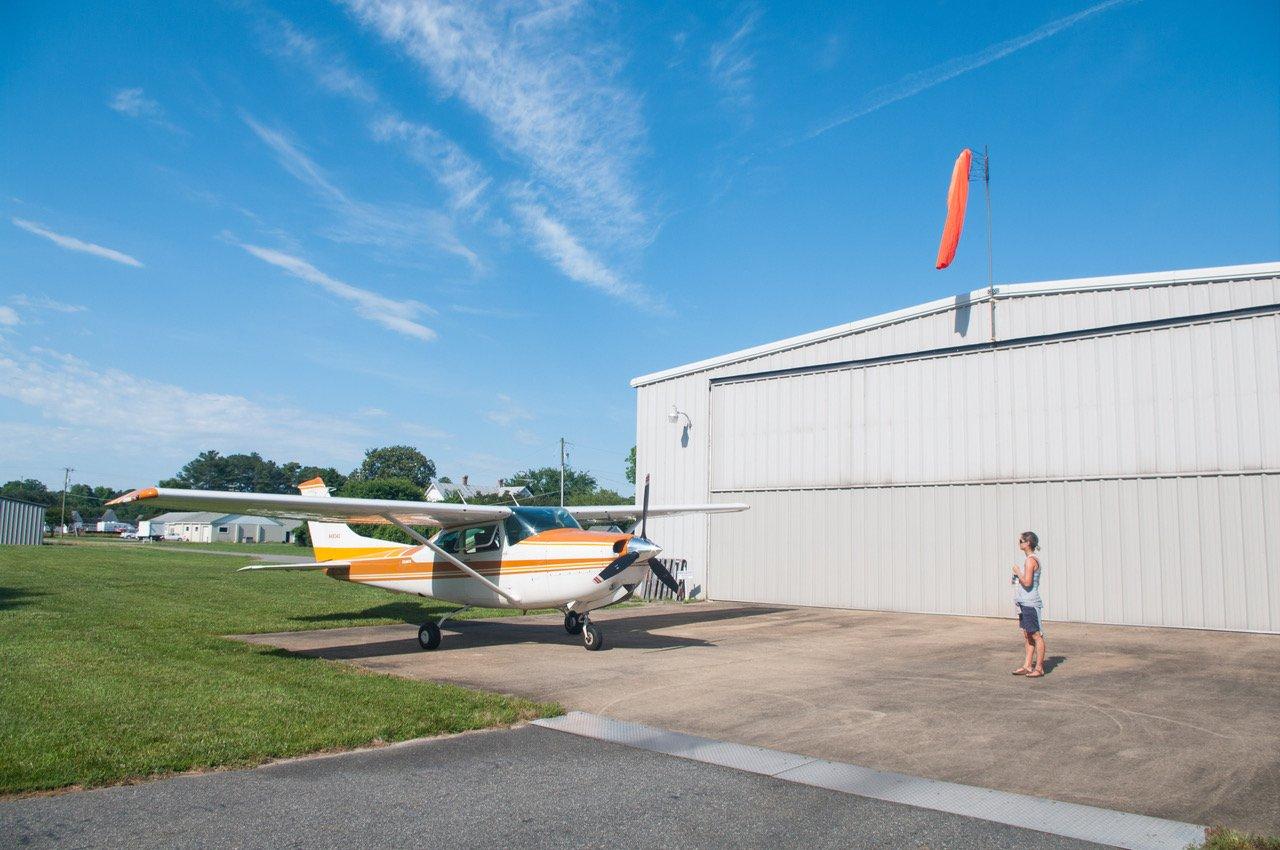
[(394, 227)]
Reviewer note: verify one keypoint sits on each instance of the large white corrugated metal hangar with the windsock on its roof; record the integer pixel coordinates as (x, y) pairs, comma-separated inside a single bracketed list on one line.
[(892, 463)]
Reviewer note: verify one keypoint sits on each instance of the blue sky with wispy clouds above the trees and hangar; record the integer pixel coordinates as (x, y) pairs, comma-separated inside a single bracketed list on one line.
[(309, 230)]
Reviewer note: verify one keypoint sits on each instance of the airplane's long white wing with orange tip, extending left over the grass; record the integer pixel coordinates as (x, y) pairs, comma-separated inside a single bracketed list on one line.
[(332, 509)]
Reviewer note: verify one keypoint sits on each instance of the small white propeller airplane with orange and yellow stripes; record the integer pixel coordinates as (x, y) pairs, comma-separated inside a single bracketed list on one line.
[(484, 555)]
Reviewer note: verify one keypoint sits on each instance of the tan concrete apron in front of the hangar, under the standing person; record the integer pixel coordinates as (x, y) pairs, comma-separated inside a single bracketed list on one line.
[(1171, 724)]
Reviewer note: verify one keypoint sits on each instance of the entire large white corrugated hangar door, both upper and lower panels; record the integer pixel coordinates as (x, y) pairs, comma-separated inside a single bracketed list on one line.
[(1148, 459)]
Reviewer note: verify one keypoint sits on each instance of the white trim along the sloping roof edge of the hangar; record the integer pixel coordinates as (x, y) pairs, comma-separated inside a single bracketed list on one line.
[(977, 296)]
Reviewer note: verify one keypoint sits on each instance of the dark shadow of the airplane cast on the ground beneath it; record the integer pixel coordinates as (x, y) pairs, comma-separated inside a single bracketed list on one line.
[(621, 632)]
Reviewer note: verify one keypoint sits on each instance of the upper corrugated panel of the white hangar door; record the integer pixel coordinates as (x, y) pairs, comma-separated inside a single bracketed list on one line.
[(1183, 399)]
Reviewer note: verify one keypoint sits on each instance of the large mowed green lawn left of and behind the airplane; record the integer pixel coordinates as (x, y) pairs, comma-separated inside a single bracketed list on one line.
[(116, 668)]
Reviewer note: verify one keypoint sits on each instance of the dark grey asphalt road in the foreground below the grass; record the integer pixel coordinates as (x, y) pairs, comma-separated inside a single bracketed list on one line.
[(527, 788)]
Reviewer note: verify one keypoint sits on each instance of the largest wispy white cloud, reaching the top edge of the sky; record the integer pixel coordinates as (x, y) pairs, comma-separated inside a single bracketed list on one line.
[(552, 100)]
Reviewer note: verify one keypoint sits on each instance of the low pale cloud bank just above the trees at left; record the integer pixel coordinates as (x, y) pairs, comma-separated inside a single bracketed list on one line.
[(107, 408)]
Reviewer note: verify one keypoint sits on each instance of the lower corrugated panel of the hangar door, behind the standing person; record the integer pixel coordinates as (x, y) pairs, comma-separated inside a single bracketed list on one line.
[(1197, 552)]
